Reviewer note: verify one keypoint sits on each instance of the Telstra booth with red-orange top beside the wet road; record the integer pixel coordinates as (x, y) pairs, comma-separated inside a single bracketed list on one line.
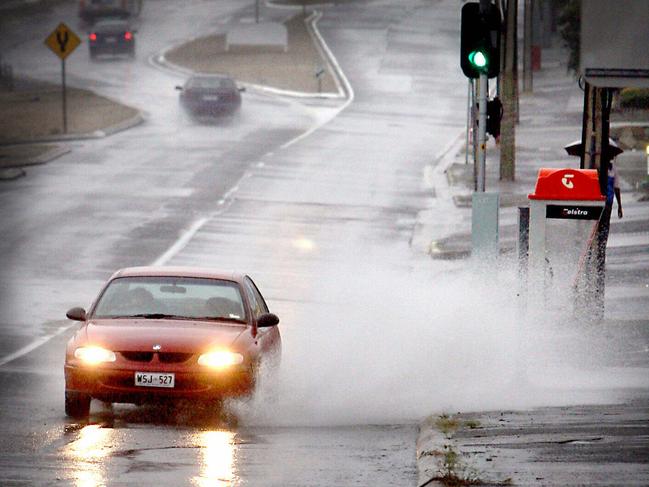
[(565, 209)]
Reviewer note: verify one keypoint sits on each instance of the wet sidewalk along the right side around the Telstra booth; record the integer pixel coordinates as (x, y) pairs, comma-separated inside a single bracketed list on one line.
[(596, 445)]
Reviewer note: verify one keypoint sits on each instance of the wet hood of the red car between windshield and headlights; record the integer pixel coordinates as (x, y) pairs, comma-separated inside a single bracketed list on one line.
[(172, 336)]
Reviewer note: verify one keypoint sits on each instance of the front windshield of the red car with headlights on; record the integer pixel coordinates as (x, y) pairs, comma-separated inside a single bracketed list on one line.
[(171, 297)]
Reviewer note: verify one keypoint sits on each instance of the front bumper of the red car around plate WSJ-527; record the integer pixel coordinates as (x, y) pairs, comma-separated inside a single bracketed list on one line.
[(118, 385)]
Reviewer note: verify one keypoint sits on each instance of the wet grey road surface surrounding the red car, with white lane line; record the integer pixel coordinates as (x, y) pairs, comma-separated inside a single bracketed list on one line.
[(301, 216)]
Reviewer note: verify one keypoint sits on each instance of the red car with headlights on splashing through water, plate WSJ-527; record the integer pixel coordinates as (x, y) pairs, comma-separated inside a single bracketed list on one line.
[(169, 333)]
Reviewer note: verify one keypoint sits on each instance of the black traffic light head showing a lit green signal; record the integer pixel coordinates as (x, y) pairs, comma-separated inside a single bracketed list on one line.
[(480, 41)]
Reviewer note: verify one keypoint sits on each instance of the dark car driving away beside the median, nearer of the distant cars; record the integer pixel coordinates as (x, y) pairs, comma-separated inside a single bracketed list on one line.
[(210, 95)]
